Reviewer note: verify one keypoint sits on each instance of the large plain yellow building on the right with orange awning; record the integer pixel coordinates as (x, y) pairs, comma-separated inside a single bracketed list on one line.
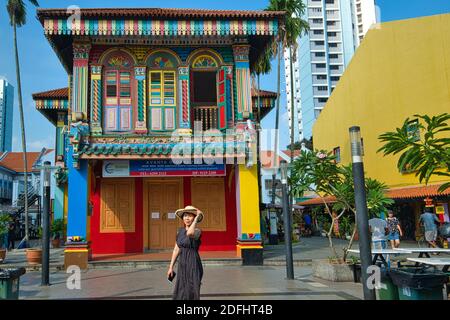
[(402, 68)]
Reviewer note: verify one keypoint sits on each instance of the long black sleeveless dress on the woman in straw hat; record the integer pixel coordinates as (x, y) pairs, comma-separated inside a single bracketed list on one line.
[(190, 269)]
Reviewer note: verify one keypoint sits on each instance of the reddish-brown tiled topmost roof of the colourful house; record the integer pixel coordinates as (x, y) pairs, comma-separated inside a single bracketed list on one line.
[(160, 13)]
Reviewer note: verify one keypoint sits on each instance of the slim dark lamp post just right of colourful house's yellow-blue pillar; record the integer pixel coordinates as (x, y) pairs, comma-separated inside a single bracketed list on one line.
[(287, 221)]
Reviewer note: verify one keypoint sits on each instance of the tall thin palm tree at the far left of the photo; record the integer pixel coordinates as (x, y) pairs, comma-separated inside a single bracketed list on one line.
[(17, 15)]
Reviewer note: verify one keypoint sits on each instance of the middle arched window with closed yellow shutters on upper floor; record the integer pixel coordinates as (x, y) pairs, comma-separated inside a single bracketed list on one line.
[(162, 90)]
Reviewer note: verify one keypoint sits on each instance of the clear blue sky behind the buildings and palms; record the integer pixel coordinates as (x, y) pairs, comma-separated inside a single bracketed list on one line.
[(41, 69)]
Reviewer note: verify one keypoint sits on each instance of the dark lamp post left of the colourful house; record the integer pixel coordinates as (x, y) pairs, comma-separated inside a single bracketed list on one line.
[(46, 226)]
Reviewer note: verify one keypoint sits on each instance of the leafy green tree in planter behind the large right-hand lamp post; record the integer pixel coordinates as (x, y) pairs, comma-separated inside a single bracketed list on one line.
[(318, 172)]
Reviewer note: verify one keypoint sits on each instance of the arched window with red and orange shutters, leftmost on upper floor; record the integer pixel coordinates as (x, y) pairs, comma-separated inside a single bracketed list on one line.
[(118, 91)]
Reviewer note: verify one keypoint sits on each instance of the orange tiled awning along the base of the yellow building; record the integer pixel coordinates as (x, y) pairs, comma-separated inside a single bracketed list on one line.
[(412, 192)]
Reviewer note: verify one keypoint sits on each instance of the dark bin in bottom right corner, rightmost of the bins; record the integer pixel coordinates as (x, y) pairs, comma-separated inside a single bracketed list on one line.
[(422, 284)]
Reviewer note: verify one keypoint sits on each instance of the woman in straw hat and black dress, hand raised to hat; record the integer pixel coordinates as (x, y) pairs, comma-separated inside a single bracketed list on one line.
[(190, 269)]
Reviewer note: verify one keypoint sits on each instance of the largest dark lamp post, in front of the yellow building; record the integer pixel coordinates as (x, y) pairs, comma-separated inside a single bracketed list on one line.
[(361, 209)]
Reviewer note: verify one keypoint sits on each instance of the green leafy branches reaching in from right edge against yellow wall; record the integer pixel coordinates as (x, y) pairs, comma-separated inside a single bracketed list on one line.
[(424, 147)]
